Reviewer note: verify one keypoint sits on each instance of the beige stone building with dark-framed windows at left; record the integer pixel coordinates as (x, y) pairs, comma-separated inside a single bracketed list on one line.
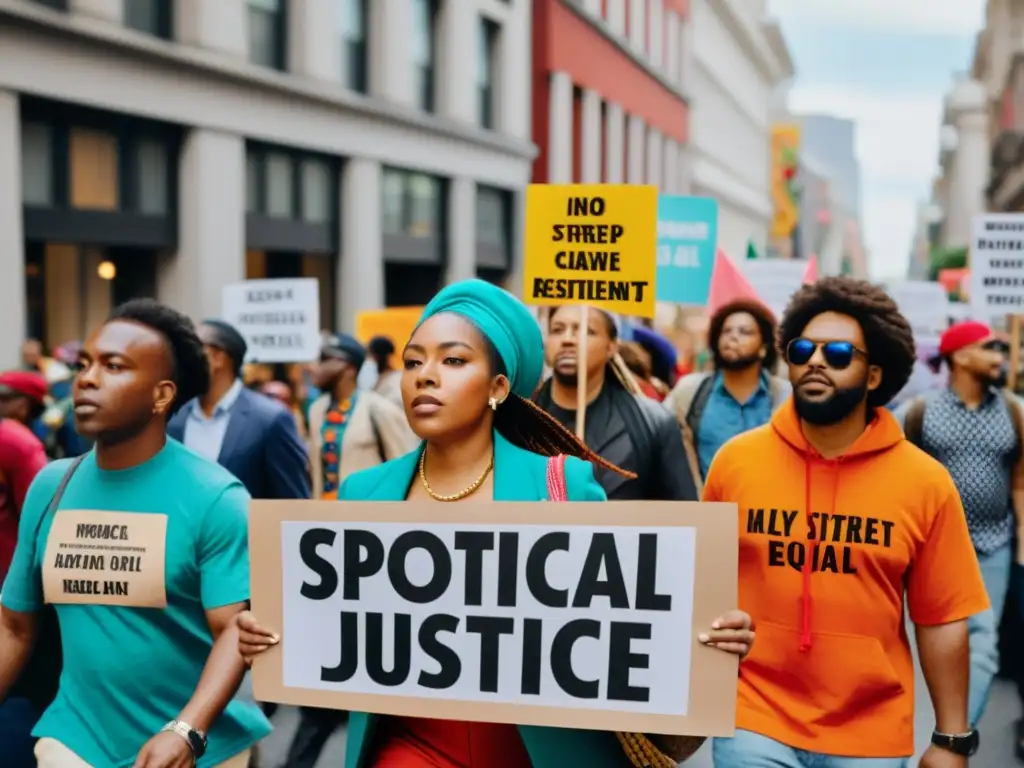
[(172, 148)]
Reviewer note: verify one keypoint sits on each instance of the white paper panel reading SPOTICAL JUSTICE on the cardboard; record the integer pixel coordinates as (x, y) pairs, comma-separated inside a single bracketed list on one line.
[(573, 617)]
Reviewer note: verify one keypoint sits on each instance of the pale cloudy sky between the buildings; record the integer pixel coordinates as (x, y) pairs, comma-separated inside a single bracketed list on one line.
[(887, 65)]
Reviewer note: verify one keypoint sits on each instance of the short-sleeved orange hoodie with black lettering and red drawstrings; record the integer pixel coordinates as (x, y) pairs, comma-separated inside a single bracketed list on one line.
[(828, 548)]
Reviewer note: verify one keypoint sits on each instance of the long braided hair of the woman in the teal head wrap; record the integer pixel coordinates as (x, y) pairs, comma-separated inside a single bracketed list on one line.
[(524, 423)]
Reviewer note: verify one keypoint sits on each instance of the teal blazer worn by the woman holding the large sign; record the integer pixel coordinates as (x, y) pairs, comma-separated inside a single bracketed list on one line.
[(520, 477)]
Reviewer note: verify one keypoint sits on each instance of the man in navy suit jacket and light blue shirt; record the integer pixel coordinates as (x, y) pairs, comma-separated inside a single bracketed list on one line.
[(249, 435)]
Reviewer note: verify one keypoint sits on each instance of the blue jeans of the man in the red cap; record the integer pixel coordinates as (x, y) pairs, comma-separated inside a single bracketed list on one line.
[(985, 629)]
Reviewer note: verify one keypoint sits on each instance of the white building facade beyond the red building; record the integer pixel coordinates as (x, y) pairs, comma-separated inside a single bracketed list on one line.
[(739, 62)]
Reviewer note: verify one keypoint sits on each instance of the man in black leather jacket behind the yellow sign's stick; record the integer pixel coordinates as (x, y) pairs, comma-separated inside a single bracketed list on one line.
[(628, 430)]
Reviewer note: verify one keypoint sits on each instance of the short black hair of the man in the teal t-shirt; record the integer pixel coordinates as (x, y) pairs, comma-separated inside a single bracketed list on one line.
[(191, 372)]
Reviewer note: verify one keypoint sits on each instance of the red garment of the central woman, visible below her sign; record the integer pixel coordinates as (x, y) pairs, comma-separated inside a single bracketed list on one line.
[(421, 743)]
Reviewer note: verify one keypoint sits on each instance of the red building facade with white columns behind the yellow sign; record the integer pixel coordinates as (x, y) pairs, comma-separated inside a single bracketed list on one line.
[(610, 81)]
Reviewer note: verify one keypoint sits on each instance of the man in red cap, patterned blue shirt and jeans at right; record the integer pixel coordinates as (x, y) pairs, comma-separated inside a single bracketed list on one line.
[(974, 431)]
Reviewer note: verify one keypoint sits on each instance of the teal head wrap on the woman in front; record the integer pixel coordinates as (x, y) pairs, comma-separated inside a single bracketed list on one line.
[(504, 321)]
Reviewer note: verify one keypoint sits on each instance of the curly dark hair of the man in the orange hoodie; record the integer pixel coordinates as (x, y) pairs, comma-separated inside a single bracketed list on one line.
[(887, 333)]
